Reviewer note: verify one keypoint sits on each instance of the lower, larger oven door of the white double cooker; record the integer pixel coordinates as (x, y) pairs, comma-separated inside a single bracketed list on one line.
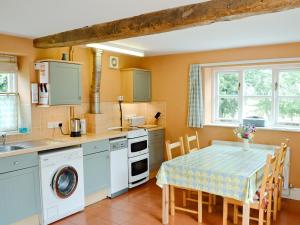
[(138, 168)]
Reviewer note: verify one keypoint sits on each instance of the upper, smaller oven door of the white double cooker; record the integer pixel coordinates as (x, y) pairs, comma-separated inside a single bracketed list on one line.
[(138, 146)]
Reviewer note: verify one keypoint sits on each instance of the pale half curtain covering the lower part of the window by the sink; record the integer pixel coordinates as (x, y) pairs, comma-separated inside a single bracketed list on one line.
[(8, 113)]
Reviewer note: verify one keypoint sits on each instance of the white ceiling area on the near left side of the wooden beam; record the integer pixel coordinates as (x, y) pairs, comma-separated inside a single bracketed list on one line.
[(36, 18)]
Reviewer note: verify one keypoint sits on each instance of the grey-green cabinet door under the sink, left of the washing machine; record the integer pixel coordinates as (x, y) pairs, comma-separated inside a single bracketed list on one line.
[(19, 195)]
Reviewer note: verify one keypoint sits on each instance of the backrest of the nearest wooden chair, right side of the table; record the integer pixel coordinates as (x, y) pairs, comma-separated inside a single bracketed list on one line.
[(268, 177)]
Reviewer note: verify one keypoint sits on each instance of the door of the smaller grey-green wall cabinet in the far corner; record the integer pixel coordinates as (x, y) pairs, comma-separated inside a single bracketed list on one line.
[(141, 86)]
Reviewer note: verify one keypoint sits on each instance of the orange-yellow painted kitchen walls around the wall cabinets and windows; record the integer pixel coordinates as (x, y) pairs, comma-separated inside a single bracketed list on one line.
[(170, 80)]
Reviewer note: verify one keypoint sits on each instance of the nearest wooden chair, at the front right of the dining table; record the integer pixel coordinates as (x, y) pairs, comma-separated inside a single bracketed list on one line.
[(265, 193)]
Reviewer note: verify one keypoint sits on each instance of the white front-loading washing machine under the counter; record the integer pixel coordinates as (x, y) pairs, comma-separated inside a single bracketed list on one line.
[(62, 186)]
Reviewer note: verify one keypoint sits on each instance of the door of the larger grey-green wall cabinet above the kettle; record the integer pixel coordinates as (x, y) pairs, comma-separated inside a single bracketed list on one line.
[(65, 83)]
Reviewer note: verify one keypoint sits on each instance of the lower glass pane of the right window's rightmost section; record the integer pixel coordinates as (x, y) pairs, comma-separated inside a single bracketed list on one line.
[(289, 110)]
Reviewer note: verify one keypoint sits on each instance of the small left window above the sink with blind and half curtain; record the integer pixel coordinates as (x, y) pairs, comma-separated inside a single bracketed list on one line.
[(8, 95)]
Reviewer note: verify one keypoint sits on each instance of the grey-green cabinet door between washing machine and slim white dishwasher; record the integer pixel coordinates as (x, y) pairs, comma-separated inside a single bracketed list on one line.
[(96, 172)]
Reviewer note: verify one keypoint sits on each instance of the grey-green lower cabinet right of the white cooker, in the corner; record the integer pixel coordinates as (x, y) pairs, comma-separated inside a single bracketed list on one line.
[(156, 148)]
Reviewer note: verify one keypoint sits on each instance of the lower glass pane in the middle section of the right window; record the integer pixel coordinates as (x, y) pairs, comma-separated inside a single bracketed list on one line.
[(259, 107)]
